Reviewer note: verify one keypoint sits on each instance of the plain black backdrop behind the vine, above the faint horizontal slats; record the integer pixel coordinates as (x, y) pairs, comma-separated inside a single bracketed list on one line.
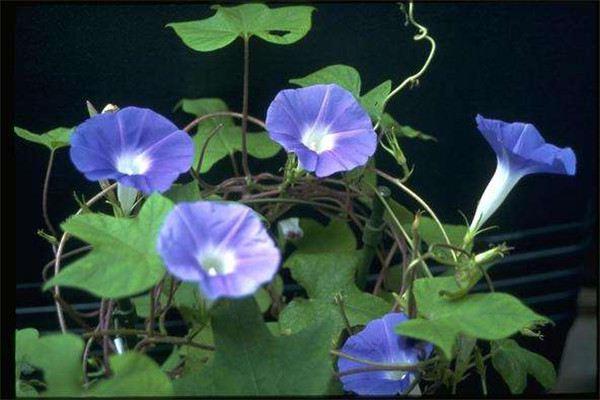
[(529, 62)]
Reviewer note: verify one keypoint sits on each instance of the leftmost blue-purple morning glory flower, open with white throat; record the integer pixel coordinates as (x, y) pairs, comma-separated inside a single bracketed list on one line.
[(135, 146)]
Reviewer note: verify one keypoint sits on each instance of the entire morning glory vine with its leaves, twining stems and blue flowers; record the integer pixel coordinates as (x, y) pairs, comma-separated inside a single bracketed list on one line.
[(269, 270)]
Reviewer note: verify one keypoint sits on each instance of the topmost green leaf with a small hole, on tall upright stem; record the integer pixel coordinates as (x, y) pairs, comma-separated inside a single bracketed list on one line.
[(282, 25)]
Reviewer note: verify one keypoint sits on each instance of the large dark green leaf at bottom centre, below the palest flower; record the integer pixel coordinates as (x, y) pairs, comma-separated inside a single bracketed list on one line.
[(250, 361)]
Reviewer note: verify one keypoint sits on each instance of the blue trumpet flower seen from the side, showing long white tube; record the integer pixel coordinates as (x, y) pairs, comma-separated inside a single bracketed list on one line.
[(520, 150)]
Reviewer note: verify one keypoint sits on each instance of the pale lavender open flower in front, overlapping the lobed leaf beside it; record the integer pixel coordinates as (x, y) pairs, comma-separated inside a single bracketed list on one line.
[(222, 246)]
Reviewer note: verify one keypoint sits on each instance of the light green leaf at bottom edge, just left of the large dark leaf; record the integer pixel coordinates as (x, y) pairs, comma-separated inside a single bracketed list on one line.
[(134, 374)]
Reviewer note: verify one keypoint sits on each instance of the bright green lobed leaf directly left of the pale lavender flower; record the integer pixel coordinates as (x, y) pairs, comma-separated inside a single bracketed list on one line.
[(124, 260)]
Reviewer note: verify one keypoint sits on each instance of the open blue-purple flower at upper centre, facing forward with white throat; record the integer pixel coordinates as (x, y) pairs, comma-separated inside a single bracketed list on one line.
[(324, 126)]
